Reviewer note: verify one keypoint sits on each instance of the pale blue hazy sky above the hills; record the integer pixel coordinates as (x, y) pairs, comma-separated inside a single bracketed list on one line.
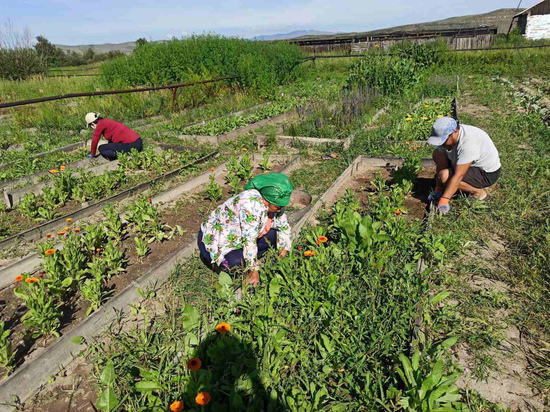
[(115, 21)]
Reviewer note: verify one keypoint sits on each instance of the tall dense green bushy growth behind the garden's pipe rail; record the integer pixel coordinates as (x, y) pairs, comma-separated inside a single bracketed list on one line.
[(259, 65)]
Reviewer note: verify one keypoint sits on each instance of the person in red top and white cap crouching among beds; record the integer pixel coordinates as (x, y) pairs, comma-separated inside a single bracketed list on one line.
[(121, 138)]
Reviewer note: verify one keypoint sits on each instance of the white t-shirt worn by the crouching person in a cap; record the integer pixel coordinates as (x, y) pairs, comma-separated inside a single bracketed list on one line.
[(475, 146)]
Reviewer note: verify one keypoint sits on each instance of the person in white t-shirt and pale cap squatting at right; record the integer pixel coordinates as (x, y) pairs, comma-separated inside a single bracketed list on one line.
[(466, 159)]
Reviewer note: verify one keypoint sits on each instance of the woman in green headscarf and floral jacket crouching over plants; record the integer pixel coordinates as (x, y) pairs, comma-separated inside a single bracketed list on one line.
[(239, 231)]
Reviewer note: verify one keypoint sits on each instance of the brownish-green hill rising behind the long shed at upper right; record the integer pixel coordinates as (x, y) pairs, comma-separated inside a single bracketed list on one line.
[(500, 18)]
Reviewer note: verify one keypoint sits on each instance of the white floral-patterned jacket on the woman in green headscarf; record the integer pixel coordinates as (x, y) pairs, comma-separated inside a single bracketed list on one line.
[(237, 224)]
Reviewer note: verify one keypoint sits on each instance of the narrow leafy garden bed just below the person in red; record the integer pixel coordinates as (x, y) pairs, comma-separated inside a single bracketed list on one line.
[(69, 193)]
